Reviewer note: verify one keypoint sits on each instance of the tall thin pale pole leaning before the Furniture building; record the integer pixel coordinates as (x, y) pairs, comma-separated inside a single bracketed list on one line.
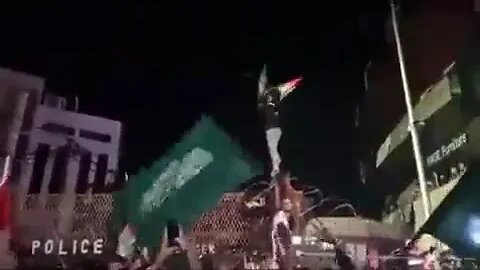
[(411, 118)]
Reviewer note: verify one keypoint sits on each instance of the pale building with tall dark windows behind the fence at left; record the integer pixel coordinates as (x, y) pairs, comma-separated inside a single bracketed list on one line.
[(95, 141)]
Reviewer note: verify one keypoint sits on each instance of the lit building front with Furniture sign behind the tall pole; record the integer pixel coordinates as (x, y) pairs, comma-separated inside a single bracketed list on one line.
[(450, 140)]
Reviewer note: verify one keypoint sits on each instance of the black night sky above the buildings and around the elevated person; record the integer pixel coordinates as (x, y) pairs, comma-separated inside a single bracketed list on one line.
[(157, 68)]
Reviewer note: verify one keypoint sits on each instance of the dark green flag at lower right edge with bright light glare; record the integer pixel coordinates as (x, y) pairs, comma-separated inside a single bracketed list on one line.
[(456, 221)]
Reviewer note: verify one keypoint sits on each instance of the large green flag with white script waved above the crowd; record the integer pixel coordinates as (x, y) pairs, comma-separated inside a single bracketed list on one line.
[(188, 181)]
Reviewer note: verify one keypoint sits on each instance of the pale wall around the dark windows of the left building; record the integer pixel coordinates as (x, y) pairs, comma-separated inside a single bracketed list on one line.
[(76, 122)]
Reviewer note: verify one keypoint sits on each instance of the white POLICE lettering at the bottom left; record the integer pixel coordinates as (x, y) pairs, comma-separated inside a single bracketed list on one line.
[(52, 247)]
